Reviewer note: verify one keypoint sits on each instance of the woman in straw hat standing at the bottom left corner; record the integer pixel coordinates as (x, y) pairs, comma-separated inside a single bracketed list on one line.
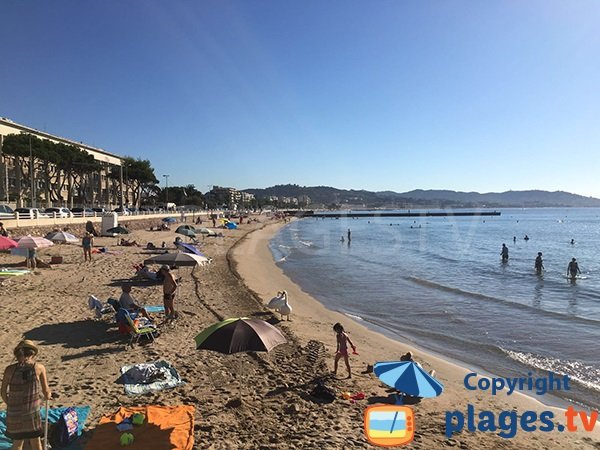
[(22, 386)]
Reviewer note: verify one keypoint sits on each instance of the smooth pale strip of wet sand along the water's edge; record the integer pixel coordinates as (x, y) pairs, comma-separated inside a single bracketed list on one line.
[(256, 266)]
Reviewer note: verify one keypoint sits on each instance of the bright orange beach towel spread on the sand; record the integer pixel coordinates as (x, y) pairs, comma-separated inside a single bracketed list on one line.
[(166, 427)]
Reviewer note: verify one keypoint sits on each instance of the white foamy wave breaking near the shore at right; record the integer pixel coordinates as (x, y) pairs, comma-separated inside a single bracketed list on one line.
[(584, 374)]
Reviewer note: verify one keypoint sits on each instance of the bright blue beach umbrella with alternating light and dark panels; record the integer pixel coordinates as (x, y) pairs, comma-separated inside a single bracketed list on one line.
[(408, 377)]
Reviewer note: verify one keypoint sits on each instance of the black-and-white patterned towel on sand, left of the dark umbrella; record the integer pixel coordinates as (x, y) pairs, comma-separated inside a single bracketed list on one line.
[(149, 377)]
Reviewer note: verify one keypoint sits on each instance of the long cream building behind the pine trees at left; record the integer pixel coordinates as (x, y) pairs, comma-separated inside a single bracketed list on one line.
[(96, 188)]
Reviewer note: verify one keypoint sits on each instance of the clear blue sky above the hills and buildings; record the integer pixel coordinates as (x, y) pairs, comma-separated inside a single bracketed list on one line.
[(377, 95)]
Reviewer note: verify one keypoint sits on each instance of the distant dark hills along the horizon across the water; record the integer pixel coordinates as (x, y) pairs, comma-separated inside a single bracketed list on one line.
[(329, 197)]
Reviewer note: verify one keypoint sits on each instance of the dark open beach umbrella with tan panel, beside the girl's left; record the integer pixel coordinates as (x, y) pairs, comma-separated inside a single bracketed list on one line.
[(239, 335)]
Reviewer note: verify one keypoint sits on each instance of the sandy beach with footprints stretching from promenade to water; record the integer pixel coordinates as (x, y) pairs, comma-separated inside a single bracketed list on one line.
[(83, 355)]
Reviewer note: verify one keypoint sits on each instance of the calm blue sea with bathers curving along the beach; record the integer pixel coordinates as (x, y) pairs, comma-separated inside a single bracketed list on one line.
[(439, 283)]
